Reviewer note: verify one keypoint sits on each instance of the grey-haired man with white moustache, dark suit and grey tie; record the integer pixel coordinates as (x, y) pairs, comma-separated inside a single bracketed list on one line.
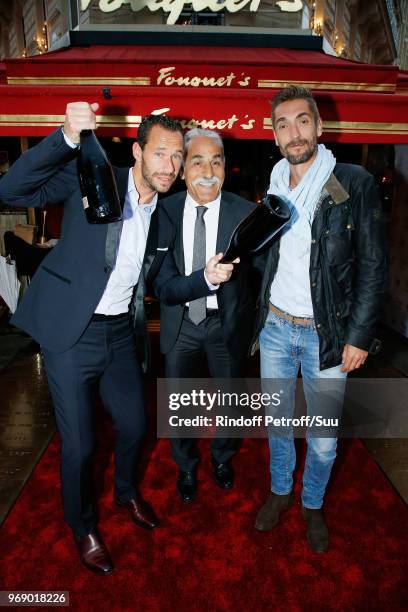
[(221, 325)]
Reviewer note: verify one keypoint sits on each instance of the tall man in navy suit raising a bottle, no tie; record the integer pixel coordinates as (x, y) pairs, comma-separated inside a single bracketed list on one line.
[(77, 307)]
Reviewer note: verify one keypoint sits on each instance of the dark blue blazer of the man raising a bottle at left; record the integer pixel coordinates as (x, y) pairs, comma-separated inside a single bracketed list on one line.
[(69, 284)]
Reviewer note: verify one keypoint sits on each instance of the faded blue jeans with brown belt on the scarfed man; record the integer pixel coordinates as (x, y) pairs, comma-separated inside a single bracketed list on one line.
[(286, 347)]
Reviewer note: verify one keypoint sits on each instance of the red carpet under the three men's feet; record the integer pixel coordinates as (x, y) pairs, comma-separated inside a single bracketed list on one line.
[(208, 555)]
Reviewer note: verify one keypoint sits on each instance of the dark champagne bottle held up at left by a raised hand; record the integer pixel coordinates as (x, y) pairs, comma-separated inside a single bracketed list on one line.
[(98, 186)]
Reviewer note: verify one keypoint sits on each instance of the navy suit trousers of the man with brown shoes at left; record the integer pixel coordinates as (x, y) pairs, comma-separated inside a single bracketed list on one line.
[(104, 359)]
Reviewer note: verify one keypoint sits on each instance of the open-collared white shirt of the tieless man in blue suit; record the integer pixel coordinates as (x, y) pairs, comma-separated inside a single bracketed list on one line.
[(132, 245)]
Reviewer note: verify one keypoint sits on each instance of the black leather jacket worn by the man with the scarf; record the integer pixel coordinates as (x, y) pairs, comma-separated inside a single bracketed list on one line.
[(348, 265)]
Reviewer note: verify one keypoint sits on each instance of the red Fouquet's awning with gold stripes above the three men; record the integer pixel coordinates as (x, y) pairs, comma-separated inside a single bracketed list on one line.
[(226, 89)]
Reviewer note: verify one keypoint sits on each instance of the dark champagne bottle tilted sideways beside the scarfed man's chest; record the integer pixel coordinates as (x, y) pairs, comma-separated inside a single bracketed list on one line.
[(257, 231)]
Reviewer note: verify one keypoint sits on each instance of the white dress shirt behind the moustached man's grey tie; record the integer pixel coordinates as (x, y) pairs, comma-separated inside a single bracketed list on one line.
[(211, 232)]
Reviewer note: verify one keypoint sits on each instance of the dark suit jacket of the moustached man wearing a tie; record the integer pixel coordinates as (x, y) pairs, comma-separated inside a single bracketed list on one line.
[(236, 299)]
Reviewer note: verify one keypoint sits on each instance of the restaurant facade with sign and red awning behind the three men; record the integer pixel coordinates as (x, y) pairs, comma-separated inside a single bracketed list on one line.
[(216, 64)]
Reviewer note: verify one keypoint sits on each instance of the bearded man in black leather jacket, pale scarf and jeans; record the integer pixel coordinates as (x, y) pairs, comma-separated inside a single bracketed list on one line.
[(321, 294)]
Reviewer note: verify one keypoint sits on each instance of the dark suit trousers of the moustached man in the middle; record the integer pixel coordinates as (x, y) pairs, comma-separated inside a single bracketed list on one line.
[(184, 360)]
